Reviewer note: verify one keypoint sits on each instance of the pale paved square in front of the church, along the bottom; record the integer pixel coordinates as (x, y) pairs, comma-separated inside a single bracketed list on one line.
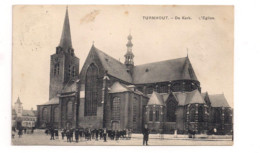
[(39, 138)]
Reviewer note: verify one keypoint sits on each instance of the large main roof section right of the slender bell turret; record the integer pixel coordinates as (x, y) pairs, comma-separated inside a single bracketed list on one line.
[(175, 69)]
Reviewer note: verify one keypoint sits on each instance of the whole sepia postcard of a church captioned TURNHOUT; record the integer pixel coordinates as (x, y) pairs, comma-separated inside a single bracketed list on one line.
[(122, 75)]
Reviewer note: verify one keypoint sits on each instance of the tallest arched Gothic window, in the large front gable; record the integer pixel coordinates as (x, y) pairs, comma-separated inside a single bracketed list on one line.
[(91, 90)]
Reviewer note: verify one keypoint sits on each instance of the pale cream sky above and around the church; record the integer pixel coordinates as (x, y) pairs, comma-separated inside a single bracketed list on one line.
[(37, 31)]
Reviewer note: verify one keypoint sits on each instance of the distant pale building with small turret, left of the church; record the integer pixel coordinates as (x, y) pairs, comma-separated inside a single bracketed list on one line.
[(23, 118)]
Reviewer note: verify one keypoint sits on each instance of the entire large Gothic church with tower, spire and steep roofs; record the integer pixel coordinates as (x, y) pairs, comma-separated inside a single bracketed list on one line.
[(106, 93)]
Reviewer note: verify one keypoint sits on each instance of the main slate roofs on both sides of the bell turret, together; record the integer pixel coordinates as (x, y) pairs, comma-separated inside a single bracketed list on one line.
[(169, 70)]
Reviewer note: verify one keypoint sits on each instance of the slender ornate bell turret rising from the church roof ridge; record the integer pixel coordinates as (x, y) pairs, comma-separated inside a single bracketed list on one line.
[(129, 56)]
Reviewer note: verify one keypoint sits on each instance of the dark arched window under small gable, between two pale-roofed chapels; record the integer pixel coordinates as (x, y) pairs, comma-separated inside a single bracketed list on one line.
[(171, 107)]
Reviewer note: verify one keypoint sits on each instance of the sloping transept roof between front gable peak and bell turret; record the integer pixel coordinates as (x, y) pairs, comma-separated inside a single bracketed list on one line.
[(114, 67)]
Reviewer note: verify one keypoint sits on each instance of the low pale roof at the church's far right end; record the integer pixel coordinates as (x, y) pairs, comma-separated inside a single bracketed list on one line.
[(218, 100)]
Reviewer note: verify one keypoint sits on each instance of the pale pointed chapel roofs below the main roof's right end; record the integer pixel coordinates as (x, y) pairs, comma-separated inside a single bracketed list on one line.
[(193, 97)]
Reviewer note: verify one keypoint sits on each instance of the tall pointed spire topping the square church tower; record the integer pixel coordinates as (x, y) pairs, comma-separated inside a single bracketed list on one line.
[(65, 41)]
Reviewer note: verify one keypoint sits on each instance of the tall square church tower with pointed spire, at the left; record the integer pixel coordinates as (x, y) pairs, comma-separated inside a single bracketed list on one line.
[(64, 65)]
